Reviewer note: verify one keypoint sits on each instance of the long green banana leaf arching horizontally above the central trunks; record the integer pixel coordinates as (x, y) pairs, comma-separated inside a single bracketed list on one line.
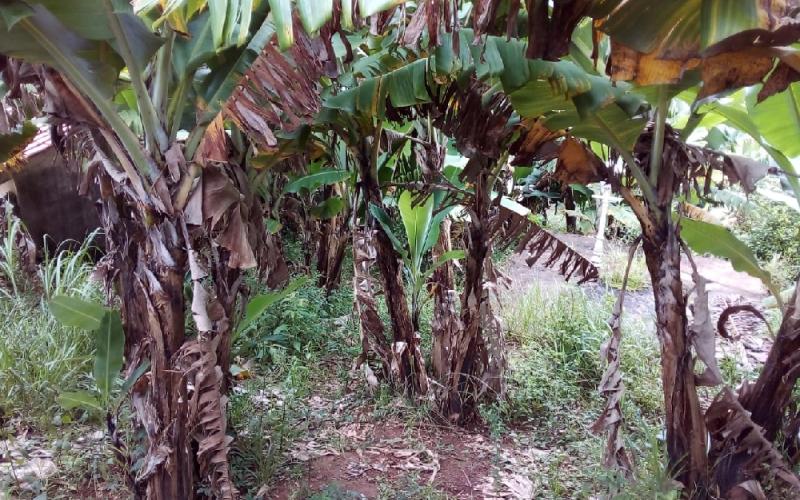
[(561, 90)]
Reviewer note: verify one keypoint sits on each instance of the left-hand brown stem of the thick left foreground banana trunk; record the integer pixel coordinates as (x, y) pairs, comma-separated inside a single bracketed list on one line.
[(150, 285)]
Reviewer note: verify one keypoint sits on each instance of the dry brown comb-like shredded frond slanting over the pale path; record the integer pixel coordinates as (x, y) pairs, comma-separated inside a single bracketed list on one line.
[(540, 244)]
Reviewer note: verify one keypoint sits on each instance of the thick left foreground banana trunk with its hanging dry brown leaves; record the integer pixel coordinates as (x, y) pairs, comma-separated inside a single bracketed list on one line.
[(179, 404)]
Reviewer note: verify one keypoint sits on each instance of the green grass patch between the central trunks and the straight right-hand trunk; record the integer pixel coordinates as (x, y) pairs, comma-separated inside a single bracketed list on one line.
[(555, 369)]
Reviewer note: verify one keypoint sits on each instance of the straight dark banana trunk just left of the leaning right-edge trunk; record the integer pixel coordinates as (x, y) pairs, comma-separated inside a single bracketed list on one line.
[(685, 427)]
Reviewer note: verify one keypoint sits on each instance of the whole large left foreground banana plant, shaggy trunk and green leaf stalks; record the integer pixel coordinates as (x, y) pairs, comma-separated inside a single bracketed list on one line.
[(152, 88)]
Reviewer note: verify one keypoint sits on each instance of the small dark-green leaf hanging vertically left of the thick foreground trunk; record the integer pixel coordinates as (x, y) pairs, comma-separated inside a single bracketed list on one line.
[(108, 357)]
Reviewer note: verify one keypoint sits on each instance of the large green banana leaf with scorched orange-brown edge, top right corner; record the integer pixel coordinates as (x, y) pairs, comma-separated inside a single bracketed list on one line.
[(659, 42)]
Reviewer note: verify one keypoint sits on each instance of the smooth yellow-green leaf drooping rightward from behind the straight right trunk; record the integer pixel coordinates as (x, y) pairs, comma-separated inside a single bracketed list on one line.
[(704, 237)]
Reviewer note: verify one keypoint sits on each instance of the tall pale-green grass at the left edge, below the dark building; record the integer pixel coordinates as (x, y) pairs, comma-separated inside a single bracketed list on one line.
[(39, 358)]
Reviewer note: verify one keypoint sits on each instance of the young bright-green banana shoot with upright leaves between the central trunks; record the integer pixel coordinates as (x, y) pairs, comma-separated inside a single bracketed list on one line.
[(422, 223)]
